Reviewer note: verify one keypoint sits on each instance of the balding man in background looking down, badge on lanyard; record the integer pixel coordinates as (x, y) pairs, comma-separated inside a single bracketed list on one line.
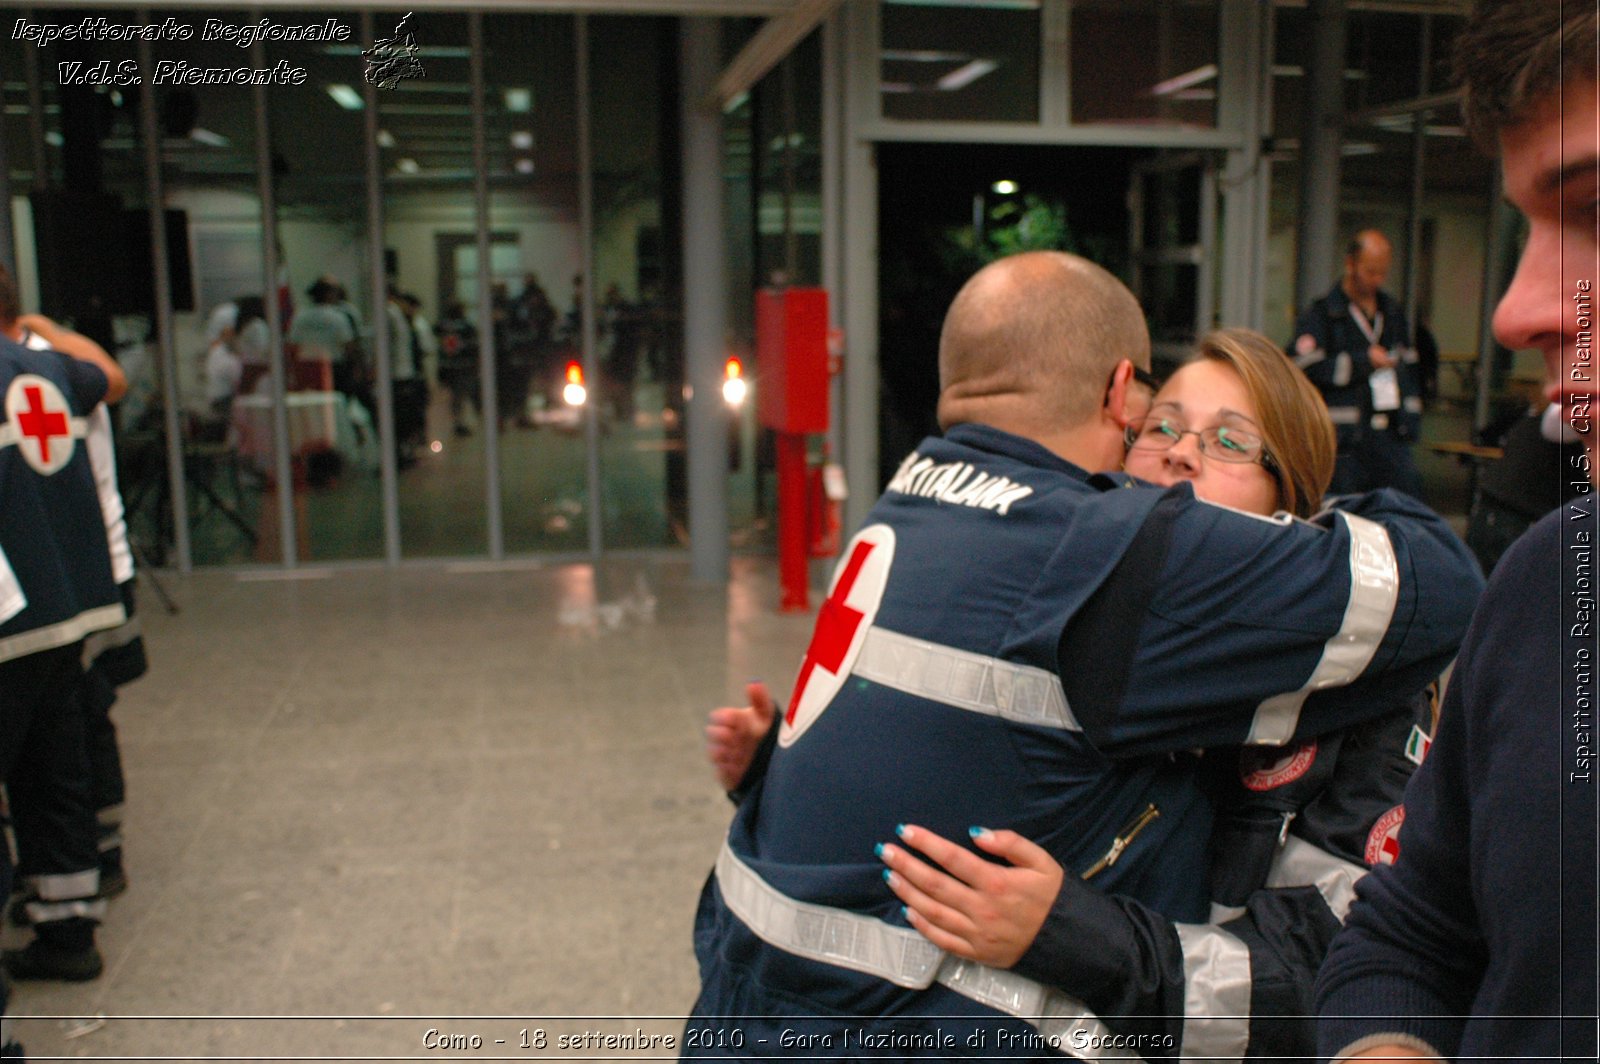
[(1356, 348)]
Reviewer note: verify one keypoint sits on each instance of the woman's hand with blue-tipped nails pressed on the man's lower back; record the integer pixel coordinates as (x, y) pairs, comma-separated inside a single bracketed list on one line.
[(974, 908)]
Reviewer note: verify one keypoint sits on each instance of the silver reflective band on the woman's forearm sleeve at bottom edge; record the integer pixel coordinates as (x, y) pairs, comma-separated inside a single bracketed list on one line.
[(1217, 993)]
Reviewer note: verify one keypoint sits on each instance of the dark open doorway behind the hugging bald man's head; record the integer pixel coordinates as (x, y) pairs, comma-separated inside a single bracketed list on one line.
[(943, 215)]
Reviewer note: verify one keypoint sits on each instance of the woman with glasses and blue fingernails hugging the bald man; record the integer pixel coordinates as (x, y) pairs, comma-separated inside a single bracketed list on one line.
[(1246, 430)]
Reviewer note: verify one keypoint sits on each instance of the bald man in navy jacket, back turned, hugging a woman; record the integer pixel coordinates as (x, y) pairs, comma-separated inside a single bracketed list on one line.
[(940, 692)]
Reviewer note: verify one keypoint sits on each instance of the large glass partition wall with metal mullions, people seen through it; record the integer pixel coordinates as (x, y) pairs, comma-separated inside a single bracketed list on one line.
[(430, 314)]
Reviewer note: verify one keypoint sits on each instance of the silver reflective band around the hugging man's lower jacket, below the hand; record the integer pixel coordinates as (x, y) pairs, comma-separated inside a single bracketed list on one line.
[(850, 940)]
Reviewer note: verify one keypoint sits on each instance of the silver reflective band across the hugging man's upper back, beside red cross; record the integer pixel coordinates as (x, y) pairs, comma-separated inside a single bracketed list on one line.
[(967, 681)]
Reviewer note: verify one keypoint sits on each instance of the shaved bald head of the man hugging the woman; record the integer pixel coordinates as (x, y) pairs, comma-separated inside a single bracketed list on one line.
[(1031, 342)]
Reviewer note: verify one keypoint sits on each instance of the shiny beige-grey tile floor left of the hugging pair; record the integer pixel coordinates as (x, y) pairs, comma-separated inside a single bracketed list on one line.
[(375, 799)]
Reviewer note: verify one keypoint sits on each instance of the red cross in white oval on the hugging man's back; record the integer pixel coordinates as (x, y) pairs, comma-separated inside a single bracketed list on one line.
[(841, 628)]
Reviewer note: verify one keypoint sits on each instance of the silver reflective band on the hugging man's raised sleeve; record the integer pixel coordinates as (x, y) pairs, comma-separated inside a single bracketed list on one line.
[(1375, 588)]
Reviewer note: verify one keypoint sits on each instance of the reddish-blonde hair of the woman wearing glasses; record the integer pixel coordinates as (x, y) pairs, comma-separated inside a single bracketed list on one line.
[(1290, 410)]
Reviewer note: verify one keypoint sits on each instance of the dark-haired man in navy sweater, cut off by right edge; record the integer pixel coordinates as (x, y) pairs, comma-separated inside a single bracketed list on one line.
[(1479, 943)]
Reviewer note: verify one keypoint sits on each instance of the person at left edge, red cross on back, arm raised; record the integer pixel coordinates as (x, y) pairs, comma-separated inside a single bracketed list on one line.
[(57, 588)]
